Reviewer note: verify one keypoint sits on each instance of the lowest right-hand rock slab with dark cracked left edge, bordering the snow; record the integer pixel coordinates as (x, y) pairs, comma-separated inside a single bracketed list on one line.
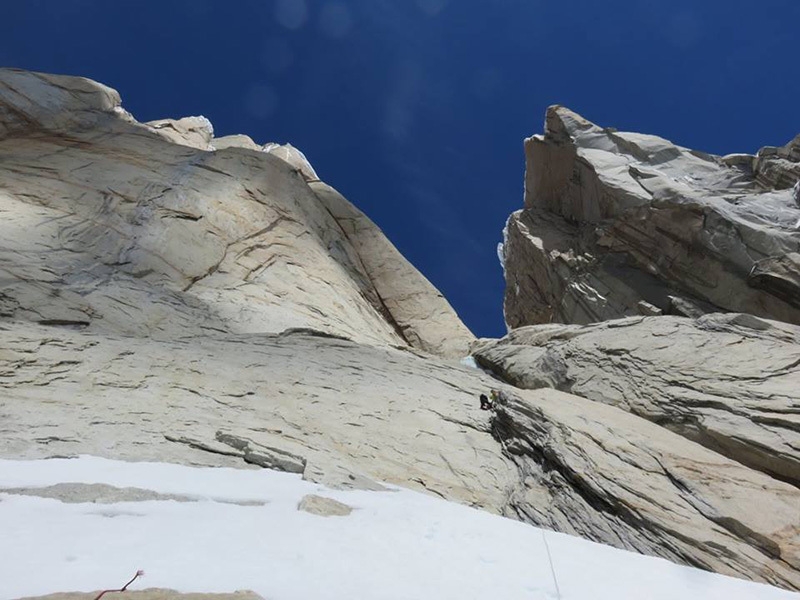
[(596, 471)]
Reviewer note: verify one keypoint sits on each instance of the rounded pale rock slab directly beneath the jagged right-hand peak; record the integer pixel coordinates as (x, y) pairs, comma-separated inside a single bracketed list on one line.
[(729, 382)]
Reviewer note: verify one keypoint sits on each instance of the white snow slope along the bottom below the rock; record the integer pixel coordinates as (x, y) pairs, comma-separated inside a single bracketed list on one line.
[(394, 545)]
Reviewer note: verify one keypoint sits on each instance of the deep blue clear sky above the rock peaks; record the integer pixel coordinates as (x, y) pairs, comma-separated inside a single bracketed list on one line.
[(416, 109)]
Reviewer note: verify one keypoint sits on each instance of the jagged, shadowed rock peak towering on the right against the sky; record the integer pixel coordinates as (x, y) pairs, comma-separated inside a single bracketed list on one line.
[(619, 224)]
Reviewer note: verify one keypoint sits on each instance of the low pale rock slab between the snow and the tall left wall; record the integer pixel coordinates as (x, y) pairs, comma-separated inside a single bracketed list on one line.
[(339, 413)]
